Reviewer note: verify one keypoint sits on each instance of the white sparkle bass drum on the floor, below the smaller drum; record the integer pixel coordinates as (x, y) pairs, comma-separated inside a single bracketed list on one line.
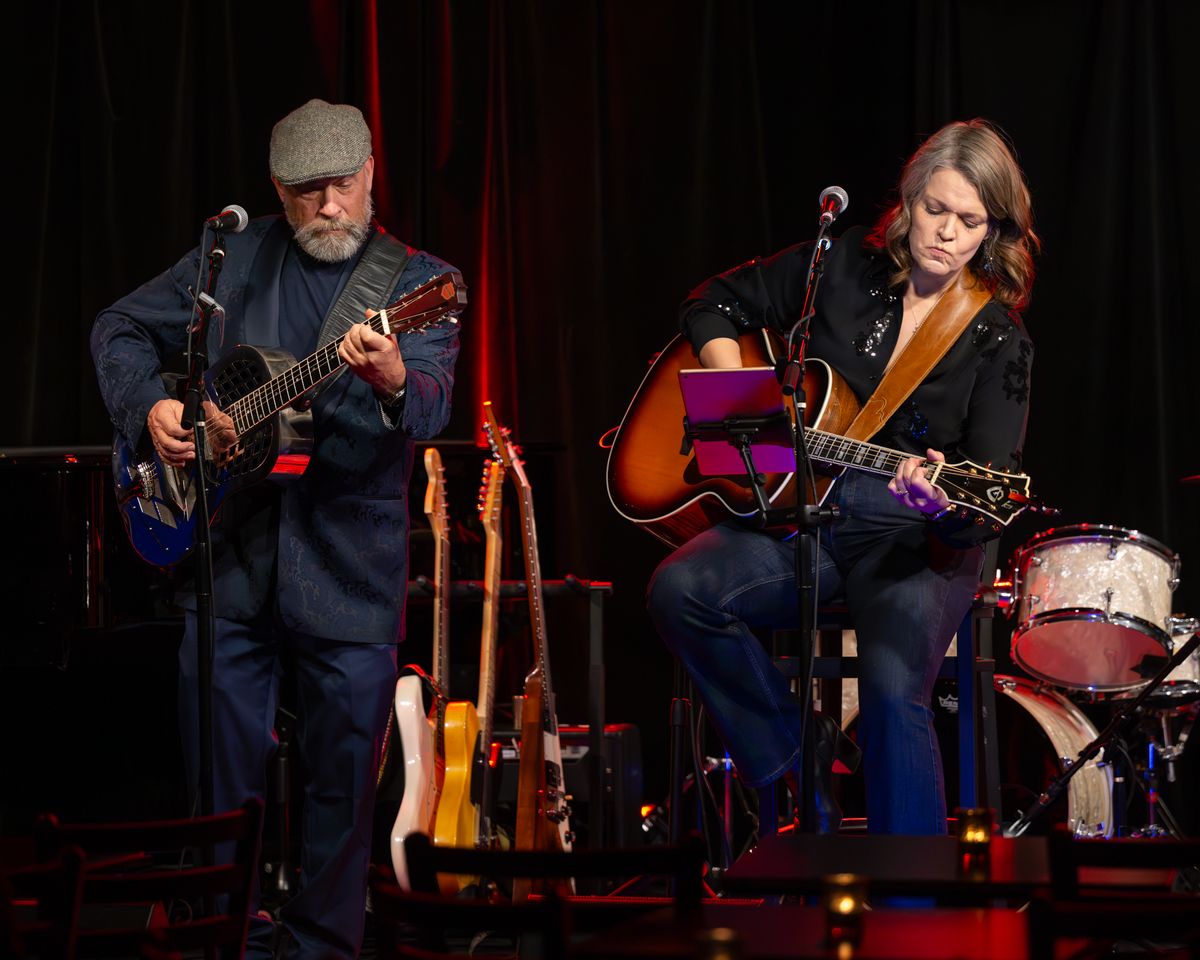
[(1090, 791)]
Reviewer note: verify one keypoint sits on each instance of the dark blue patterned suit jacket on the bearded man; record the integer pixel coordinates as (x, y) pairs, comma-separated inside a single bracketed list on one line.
[(328, 551)]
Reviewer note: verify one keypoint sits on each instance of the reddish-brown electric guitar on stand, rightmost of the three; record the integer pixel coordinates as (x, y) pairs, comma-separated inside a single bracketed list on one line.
[(543, 813)]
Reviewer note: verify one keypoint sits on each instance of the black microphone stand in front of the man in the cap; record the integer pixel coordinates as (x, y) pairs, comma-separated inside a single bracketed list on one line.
[(203, 308)]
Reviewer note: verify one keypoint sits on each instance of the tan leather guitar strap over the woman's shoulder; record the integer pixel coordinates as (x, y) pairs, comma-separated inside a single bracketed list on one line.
[(945, 325)]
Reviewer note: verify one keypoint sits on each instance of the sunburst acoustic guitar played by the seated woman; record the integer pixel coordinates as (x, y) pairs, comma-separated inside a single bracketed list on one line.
[(653, 479)]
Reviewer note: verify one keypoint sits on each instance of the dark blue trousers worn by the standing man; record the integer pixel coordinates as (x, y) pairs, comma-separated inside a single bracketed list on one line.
[(345, 692)]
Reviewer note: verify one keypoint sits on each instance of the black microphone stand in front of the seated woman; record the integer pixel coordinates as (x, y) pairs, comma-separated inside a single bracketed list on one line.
[(807, 519)]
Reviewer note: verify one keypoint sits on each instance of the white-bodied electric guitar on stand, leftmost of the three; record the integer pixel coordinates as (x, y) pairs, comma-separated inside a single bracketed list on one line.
[(423, 733)]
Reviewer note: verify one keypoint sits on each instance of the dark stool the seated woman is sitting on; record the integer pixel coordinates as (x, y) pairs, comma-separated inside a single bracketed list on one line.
[(973, 667)]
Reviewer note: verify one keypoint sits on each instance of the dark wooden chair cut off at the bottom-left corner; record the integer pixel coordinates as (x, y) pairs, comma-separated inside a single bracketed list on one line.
[(40, 908)]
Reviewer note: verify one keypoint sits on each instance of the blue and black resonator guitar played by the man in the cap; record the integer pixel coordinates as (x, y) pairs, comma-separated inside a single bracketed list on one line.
[(256, 418)]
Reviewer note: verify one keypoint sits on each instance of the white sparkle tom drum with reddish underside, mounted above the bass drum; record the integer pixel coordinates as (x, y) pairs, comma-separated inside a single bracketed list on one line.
[(1093, 605)]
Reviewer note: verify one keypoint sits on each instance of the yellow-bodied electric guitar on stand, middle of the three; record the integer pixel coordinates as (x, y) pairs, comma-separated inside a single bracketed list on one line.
[(465, 817)]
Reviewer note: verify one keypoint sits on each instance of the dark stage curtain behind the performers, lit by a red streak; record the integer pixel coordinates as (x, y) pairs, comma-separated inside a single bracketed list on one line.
[(586, 164)]
